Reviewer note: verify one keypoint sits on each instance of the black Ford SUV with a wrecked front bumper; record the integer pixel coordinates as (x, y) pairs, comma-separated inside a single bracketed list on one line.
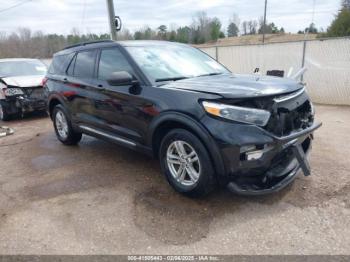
[(206, 125)]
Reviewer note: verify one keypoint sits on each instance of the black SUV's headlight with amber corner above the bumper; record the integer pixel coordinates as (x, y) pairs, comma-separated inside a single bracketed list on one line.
[(236, 113)]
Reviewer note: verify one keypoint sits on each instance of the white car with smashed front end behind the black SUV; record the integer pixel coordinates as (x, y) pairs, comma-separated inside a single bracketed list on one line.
[(21, 87)]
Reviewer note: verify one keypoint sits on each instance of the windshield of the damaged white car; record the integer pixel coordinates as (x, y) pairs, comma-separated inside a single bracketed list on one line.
[(22, 68)]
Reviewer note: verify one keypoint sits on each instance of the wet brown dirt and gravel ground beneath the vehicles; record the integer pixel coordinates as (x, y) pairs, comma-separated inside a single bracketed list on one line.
[(99, 198)]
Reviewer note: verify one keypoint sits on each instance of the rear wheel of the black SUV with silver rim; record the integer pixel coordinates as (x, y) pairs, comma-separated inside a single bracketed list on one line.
[(63, 127)]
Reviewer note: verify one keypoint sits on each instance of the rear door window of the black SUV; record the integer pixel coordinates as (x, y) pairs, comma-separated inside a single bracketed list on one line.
[(84, 64)]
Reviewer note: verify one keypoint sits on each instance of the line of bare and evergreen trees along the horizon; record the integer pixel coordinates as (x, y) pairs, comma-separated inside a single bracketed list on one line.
[(203, 29)]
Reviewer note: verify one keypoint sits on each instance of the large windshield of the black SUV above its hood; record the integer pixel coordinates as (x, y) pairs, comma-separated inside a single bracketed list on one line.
[(172, 62)]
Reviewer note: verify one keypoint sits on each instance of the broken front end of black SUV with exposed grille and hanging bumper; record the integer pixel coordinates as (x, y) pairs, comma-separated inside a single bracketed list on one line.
[(291, 128)]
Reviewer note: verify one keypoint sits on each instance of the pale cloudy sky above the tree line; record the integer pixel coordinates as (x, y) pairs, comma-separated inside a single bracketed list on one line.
[(90, 16)]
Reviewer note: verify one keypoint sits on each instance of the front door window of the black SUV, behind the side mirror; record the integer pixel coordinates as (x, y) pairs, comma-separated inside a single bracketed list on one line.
[(112, 60)]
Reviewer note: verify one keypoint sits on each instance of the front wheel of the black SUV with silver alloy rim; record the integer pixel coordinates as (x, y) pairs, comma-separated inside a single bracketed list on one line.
[(186, 163)]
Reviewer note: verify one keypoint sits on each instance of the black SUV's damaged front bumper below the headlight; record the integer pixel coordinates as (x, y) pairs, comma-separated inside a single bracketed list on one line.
[(275, 169)]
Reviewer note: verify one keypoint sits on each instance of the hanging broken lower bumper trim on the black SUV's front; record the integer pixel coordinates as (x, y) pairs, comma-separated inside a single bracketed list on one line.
[(285, 169)]
